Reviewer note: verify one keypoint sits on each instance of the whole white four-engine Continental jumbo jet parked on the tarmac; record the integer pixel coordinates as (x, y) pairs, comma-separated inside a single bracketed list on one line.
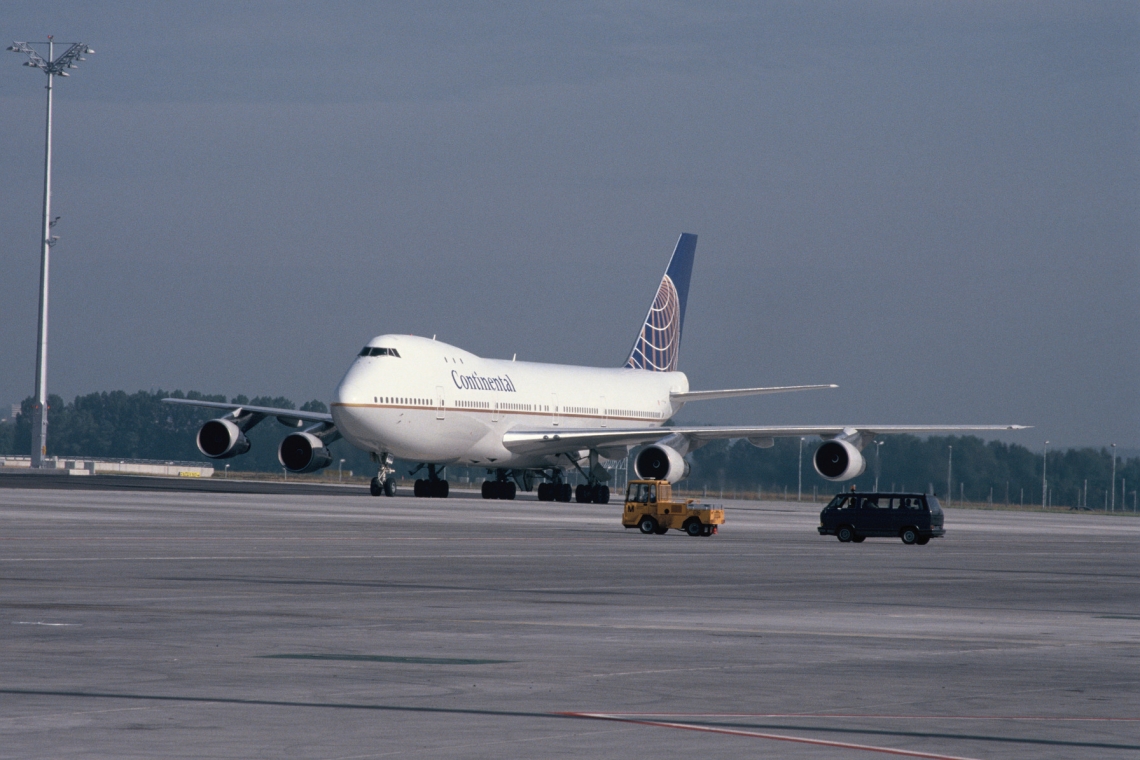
[(429, 403)]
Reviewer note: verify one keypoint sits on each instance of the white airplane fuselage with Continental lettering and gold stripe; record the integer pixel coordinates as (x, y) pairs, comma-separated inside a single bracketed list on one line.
[(433, 403)]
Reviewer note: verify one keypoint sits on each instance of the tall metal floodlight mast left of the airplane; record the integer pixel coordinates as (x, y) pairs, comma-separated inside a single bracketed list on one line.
[(52, 67)]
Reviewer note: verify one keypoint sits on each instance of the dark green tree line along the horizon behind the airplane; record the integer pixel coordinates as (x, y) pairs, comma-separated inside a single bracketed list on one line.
[(140, 427)]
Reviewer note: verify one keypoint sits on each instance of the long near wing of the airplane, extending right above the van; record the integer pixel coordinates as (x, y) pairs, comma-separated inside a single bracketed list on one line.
[(560, 442)]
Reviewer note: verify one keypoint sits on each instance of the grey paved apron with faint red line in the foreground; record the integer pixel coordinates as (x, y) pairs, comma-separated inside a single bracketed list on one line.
[(181, 624)]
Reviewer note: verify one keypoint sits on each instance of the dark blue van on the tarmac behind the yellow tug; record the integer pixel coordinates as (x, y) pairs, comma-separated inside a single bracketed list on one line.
[(915, 518)]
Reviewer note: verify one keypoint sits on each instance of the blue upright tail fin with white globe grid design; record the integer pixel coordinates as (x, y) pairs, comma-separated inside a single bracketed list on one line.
[(658, 346)]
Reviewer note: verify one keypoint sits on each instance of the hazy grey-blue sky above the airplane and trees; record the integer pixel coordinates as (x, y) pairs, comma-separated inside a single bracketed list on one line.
[(933, 206)]
